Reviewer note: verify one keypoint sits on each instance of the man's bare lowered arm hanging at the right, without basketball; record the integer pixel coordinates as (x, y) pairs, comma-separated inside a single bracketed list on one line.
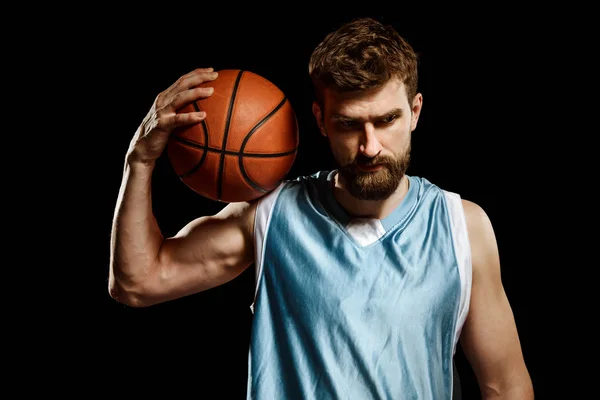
[(489, 338)]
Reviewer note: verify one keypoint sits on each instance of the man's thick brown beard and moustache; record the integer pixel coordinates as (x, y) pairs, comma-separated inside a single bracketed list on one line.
[(376, 185)]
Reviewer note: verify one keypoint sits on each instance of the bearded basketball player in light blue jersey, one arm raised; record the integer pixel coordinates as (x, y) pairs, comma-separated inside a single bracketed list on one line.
[(367, 277)]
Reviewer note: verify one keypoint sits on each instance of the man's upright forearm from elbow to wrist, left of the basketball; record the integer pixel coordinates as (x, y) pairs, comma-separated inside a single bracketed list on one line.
[(135, 237)]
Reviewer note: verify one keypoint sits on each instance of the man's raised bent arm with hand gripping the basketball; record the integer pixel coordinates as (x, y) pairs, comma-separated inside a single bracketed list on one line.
[(147, 268)]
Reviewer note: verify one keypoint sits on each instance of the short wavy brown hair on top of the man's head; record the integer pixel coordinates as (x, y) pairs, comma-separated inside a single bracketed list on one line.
[(363, 54)]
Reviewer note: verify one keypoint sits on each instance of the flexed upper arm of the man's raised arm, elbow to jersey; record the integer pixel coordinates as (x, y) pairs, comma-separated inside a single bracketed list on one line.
[(209, 251)]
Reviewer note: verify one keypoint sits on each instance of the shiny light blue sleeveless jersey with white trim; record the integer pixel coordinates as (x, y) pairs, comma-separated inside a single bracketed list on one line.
[(349, 308)]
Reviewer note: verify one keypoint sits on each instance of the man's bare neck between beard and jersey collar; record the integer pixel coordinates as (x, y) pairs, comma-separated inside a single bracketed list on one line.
[(377, 209)]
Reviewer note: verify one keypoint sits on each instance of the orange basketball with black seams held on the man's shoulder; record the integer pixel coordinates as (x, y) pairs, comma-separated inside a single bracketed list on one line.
[(244, 147)]
